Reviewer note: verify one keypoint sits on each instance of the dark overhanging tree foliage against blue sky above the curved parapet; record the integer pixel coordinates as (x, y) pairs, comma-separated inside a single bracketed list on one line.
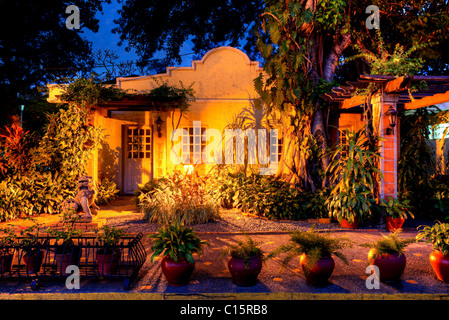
[(165, 26)]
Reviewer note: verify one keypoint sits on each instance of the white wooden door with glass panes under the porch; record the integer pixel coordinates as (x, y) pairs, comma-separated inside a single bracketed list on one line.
[(138, 157)]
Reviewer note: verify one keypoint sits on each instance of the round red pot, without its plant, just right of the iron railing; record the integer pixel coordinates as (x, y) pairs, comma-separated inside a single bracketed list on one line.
[(177, 273)]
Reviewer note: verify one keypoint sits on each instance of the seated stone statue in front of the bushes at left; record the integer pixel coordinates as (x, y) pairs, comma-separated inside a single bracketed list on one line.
[(84, 200)]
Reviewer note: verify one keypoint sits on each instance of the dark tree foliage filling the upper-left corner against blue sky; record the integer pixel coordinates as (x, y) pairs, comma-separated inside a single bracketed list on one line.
[(36, 46)]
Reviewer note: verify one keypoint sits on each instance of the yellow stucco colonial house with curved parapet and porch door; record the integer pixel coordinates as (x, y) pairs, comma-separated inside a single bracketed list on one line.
[(138, 133)]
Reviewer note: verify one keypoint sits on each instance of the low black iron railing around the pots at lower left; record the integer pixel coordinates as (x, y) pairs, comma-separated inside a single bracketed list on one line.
[(49, 259)]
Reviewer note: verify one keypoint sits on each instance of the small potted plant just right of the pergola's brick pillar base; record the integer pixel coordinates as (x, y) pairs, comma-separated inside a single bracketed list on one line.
[(396, 211)]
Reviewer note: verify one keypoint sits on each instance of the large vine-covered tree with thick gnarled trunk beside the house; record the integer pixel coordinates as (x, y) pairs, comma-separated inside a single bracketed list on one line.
[(303, 43)]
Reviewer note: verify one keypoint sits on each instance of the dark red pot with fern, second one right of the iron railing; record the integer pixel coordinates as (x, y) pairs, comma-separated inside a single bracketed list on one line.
[(245, 262)]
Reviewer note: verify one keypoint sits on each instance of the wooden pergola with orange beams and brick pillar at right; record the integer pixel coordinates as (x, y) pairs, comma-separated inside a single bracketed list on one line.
[(394, 93)]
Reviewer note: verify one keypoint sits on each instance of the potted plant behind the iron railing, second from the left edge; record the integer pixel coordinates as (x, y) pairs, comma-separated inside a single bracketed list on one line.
[(32, 254)]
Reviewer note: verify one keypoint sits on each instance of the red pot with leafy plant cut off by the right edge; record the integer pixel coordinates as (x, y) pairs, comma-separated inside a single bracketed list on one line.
[(438, 235)]
